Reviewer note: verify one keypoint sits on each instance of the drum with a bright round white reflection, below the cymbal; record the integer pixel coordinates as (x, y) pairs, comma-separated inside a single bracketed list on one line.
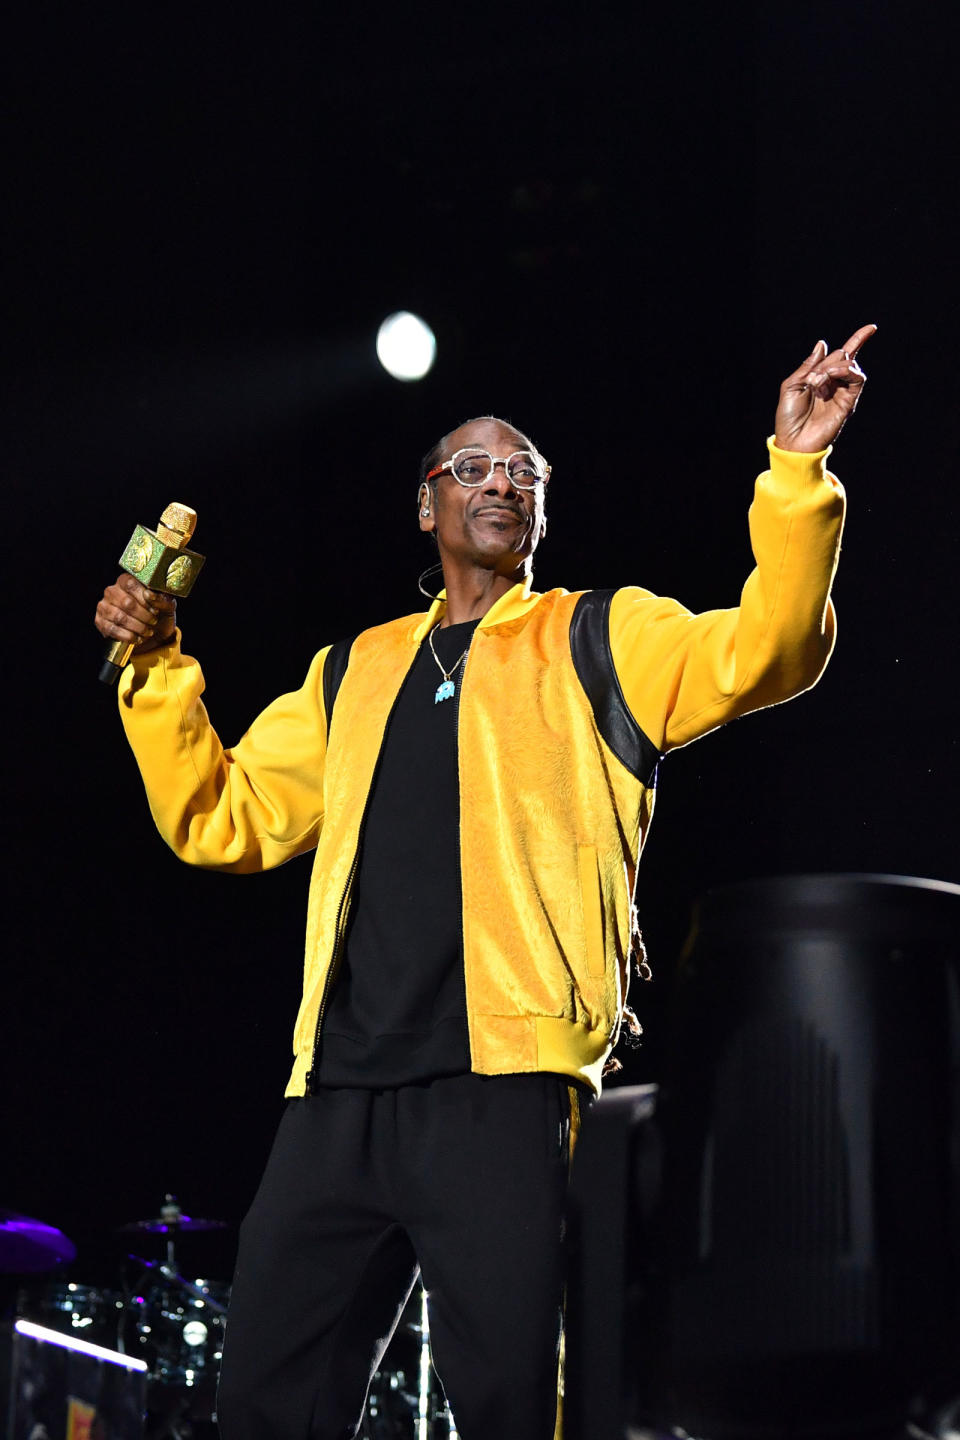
[(178, 1328)]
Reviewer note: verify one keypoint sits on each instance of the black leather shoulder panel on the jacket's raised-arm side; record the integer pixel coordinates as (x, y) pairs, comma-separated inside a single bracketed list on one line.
[(594, 662)]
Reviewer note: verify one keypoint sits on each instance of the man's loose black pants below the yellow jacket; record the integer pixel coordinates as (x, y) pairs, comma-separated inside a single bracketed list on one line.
[(463, 1177)]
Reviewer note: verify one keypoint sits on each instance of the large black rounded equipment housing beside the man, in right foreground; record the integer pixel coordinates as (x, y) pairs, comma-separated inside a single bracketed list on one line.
[(794, 1268)]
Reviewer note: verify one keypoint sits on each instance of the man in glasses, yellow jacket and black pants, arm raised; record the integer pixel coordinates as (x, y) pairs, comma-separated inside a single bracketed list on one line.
[(477, 784)]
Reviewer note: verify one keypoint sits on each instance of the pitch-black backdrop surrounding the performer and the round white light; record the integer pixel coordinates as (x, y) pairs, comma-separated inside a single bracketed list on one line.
[(625, 225)]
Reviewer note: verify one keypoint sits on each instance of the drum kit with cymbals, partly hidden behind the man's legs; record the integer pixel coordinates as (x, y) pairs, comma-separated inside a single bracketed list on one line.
[(176, 1324)]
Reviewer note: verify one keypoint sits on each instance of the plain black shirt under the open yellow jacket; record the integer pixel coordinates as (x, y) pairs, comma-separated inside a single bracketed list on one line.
[(398, 1009)]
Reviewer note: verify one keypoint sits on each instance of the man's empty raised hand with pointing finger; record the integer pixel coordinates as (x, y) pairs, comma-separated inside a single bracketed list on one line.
[(821, 395)]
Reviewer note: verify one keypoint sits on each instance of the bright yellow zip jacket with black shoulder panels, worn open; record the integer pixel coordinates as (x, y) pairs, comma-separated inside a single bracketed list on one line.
[(566, 703)]
